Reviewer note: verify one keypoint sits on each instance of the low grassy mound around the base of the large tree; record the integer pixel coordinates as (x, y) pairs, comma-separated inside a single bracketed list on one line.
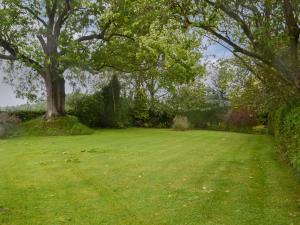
[(66, 125)]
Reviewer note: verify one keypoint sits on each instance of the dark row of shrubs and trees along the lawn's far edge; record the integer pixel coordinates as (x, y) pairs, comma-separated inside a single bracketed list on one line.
[(110, 106)]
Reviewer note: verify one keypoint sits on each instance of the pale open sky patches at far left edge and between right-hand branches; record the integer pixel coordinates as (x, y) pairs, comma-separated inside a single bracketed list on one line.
[(8, 97)]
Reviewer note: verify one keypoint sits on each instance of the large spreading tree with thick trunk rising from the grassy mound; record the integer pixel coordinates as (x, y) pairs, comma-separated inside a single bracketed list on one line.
[(51, 36)]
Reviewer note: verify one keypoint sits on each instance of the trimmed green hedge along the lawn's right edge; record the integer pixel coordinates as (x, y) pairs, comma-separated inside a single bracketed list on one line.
[(284, 124)]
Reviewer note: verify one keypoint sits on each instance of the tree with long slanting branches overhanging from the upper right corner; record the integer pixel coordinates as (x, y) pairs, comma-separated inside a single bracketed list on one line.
[(264, 31)]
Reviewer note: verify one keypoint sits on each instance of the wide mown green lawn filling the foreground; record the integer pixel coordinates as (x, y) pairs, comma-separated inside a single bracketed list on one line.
[(139, 176)]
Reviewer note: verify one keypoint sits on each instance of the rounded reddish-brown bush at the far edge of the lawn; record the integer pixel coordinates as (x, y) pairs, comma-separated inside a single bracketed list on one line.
[(240, 119)]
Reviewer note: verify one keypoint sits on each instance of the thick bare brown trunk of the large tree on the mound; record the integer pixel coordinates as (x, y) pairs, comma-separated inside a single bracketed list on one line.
[(55, 87)]
